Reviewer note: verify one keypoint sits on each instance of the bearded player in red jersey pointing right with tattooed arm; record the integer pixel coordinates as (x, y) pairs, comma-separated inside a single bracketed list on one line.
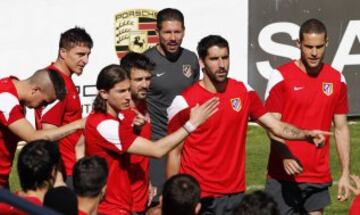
[(214, 153)]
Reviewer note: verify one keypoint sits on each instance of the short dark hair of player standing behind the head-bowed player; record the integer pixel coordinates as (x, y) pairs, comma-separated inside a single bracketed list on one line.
[(75, 36)]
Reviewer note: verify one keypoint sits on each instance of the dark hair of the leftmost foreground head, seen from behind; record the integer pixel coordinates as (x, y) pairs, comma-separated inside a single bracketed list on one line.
[(36, 164)]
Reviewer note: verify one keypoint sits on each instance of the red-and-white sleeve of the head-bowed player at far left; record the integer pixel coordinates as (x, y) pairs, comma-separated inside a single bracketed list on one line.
[(11, 110)]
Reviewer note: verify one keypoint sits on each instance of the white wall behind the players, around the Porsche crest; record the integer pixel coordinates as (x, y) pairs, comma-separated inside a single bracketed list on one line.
[(30, 31)]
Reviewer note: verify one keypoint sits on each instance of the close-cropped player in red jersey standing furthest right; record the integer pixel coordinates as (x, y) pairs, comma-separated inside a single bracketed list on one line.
[(309, 94)]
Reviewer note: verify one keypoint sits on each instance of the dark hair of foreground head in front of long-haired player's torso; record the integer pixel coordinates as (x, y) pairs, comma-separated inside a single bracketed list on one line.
[(89, 176)]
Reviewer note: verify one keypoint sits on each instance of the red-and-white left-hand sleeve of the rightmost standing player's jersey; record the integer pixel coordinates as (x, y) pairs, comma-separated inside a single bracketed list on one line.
[(274, 96)]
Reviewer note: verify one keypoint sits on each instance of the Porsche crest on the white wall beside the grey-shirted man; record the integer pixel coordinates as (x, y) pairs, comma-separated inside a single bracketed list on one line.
[(135, 31)]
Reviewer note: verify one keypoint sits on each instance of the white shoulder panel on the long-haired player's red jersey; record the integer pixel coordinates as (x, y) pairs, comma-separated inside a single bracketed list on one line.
[(109, 129)]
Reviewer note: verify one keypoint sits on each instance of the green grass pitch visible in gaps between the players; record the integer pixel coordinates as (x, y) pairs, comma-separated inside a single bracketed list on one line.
[(257, 151)]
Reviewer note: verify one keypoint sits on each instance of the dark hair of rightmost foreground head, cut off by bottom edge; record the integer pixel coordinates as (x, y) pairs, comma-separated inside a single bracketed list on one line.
[(257, 203)]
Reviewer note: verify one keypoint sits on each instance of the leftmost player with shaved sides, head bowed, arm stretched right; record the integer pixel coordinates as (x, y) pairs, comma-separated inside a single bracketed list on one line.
[(43, 87)]
